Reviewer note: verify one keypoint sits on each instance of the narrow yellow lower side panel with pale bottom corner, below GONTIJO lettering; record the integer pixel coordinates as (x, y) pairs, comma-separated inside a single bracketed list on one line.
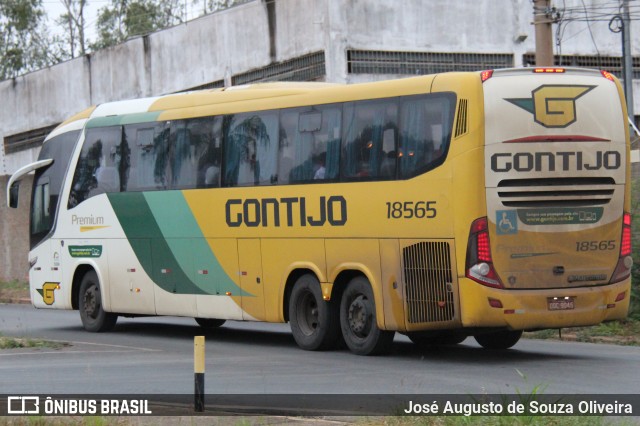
[(251, 280)]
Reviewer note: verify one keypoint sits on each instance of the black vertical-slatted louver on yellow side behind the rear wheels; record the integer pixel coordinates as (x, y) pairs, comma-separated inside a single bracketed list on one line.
[(428, 282)]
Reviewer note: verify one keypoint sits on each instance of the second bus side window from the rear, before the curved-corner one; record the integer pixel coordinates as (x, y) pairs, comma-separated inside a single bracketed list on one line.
[(369, 141)]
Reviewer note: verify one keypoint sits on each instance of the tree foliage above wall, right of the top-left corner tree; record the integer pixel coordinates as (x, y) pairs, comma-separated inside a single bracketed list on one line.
[(128, 18)]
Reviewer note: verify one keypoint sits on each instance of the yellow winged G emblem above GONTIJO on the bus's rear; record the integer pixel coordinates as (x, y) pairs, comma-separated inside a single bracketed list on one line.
[(553, 105)]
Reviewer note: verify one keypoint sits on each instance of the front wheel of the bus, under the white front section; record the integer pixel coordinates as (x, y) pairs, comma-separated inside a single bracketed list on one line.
[(94, 317)]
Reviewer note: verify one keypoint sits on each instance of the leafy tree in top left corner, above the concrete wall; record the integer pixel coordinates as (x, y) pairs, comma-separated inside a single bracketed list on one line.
[(24, 41)]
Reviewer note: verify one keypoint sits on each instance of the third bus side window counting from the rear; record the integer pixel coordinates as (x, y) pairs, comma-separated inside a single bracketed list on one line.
[(309, 144)]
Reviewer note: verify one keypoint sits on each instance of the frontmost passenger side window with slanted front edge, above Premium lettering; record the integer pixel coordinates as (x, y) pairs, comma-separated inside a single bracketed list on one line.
[(103, 165)]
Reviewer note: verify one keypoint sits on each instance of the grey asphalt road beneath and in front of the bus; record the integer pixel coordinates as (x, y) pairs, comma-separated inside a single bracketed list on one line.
[(155, 356)]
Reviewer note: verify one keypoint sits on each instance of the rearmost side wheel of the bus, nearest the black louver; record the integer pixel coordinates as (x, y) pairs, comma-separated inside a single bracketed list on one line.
[(358, 320)]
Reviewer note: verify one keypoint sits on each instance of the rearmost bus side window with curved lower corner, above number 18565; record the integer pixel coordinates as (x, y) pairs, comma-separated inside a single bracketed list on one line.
[(425, 132)]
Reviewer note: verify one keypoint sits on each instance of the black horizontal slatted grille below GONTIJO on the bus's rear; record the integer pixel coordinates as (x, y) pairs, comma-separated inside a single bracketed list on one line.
[(556, 192)]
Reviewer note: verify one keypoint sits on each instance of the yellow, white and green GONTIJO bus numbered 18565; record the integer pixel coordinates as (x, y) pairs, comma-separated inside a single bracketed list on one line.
[(442, 206)]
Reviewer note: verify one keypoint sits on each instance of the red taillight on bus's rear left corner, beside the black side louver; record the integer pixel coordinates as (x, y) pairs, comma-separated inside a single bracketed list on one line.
[(479, 261)]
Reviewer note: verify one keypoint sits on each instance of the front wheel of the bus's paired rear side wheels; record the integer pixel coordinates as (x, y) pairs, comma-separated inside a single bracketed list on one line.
[(314, 322)]
